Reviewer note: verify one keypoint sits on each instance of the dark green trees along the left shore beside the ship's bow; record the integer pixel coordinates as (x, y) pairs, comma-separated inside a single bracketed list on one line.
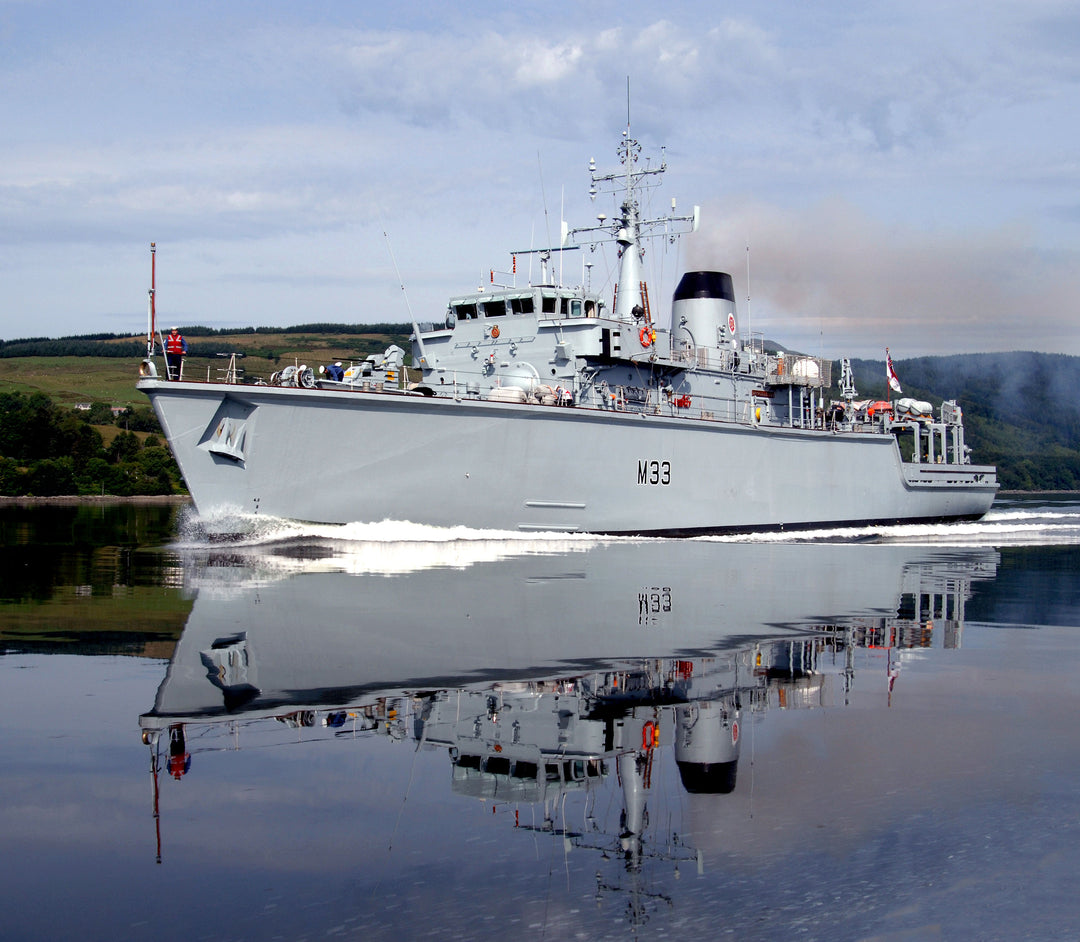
[(48, 450)]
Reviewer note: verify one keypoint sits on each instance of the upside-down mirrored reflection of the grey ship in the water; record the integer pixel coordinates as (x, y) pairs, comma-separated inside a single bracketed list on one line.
[(557, 680)]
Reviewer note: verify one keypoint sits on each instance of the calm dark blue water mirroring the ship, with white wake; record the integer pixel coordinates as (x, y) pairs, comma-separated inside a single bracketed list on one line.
[(394, 733)]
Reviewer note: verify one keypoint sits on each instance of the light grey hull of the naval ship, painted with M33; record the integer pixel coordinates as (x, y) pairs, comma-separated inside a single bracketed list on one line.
[(333, 456)]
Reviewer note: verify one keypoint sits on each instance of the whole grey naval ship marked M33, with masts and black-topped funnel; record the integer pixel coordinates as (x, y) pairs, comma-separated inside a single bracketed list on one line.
[(553, 408)]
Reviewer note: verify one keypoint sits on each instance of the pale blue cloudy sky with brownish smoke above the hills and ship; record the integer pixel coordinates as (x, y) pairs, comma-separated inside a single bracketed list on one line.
[(872, 174)]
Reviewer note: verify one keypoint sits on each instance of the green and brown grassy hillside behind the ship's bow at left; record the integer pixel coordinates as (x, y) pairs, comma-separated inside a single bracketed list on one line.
[(72, 380)]
